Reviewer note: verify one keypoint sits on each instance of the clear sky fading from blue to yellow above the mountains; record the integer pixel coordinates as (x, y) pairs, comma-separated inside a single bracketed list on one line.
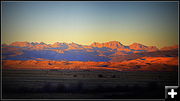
[(148, 23)]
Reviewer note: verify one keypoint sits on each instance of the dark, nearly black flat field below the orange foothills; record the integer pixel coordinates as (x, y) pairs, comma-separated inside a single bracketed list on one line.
[(85, 84)]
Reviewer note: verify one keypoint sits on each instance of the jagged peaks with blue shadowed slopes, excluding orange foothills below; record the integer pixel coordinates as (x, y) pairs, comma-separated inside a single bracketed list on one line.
[(108, 51)]
